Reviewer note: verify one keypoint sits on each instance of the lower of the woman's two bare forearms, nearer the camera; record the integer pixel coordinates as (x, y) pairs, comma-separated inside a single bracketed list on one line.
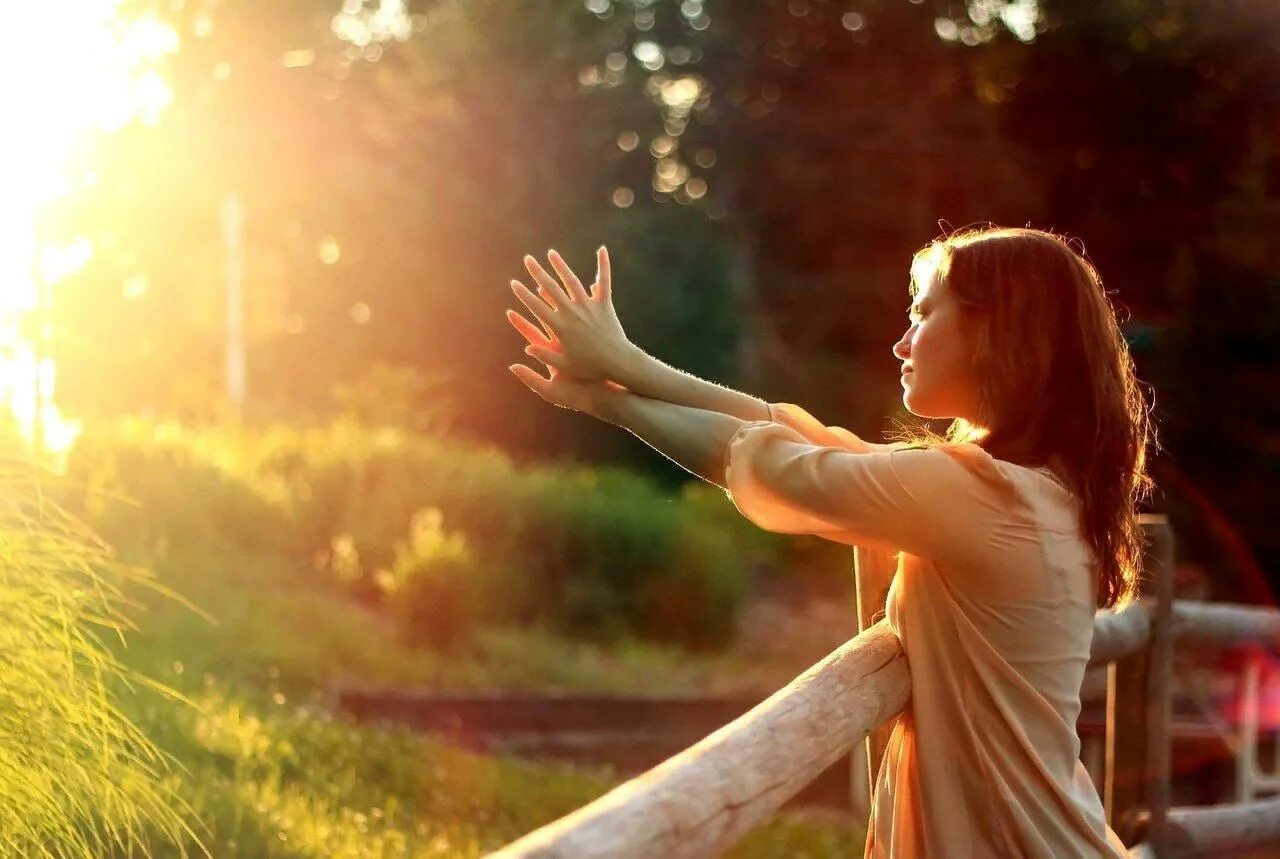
[(693, 438)]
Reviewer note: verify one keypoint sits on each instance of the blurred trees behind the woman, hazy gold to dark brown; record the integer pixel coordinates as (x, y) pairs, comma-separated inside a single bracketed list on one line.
[(762, 173)]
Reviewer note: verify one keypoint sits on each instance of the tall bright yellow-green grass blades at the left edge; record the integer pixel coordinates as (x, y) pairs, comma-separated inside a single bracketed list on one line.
[(77, 779)]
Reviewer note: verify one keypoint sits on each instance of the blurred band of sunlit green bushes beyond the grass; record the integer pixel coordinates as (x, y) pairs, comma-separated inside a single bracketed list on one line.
[(596, 552)]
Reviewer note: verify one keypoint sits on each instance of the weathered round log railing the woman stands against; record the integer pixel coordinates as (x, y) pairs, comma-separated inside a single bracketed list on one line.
[(700, 802)]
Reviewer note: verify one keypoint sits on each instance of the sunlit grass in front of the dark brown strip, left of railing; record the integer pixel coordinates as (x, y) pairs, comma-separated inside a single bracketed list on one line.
[(269, 776)]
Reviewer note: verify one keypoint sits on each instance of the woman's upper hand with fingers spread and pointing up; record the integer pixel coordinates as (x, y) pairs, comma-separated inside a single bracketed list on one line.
[(582, 336)]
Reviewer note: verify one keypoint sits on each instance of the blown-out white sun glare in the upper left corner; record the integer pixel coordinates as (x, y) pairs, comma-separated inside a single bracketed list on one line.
[(67, 77)]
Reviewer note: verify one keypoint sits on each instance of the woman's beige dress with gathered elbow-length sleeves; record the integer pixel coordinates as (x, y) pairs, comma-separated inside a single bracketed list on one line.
[(994, 604)]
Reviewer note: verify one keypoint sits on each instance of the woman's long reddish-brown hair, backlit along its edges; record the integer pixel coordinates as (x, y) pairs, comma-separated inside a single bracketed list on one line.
[(1057, 383)]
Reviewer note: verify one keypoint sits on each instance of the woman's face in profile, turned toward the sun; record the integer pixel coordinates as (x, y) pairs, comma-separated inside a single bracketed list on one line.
[(936, 354)]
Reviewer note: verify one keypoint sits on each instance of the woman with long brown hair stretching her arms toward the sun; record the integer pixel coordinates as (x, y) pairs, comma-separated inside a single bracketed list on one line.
[(1012, 531)]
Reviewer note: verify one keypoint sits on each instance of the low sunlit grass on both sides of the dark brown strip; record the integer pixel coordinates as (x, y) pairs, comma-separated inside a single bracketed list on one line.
[(275, 774)]
